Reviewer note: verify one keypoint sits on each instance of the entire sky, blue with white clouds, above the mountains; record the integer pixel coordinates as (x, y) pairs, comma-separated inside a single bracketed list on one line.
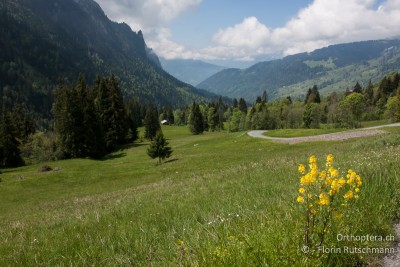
[(241, 32)]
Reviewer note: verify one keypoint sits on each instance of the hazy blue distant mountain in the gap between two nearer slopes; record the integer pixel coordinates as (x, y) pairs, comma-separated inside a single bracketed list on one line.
[(190, 71)]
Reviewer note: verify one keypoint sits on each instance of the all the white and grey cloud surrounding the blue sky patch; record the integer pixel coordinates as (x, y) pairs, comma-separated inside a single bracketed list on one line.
[(320, 24)]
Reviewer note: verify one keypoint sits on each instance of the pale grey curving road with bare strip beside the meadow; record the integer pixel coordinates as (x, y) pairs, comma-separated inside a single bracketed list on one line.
[(370, 131)]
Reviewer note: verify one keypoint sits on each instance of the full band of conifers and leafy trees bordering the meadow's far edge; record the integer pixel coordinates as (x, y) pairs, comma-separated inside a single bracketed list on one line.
[(111, 121)]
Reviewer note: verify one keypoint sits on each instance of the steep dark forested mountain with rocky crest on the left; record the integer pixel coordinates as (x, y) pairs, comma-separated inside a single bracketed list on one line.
[(45, 40)]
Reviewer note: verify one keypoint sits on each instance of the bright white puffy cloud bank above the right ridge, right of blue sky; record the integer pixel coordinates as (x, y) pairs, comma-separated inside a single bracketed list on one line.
[(320, 24)]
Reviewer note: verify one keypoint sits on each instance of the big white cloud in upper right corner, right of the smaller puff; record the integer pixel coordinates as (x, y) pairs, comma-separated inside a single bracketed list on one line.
[(338, 21)]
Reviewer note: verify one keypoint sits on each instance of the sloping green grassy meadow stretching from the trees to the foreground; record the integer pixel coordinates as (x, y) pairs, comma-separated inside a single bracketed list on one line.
[(222, 199)]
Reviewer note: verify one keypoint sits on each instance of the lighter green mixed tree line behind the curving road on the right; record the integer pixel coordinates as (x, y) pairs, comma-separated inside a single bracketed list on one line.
[(339, 110)]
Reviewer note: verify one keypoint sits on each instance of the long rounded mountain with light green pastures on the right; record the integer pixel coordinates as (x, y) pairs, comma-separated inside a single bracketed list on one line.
[(332, 68)]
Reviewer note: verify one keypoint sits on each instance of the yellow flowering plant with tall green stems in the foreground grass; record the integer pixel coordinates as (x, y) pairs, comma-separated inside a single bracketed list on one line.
[(324, 195)]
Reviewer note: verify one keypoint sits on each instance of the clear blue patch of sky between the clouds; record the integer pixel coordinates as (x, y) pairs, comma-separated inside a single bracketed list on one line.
[(196, 28)]
